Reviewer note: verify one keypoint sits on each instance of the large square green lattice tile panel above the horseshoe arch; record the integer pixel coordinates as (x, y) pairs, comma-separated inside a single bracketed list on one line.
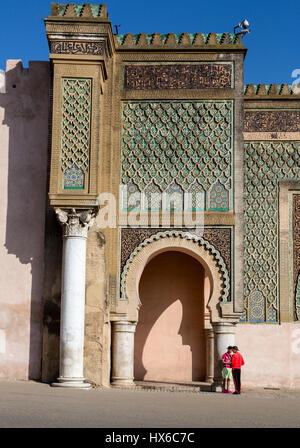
[(170, 146)]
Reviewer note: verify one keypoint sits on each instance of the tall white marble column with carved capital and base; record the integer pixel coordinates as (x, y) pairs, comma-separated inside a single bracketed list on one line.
[(75, 228)]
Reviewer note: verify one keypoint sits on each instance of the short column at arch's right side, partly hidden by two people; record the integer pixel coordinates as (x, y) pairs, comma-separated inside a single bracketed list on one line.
[(224, 335)]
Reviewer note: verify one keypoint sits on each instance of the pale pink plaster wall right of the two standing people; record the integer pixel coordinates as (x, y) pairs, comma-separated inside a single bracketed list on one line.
[(271, 353)]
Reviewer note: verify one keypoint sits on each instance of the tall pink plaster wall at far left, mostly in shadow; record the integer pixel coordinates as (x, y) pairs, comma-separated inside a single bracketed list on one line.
[(23, 173)]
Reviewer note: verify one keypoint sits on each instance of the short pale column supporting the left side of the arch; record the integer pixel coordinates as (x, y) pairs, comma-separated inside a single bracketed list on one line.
[(123, 353)]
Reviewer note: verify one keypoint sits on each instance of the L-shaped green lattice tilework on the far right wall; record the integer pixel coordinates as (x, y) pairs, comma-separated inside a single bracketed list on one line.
[(265, 163)]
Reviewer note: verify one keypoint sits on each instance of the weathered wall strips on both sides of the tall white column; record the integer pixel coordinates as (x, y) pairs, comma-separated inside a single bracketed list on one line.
[(97, 327)]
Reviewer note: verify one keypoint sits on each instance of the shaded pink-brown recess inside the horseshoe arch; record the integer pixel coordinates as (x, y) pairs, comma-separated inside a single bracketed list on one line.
[(169, 338)]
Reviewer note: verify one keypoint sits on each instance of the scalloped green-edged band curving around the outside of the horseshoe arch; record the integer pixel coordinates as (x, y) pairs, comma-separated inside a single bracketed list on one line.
[(179, 234)]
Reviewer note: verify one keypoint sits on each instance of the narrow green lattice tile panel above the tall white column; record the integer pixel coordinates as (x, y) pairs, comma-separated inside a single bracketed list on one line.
[(76, 125)]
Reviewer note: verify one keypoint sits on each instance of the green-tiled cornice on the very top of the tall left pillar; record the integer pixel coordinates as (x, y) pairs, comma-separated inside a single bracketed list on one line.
[(85, 11)]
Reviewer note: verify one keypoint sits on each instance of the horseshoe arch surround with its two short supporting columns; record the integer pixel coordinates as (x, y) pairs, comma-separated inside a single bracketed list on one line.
[(219, 315)]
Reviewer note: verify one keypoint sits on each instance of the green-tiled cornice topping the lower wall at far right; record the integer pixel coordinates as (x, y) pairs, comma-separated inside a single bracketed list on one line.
[(271, 90)]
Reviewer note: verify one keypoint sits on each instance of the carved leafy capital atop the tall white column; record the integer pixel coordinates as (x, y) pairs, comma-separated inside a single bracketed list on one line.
[(75, 224)]
